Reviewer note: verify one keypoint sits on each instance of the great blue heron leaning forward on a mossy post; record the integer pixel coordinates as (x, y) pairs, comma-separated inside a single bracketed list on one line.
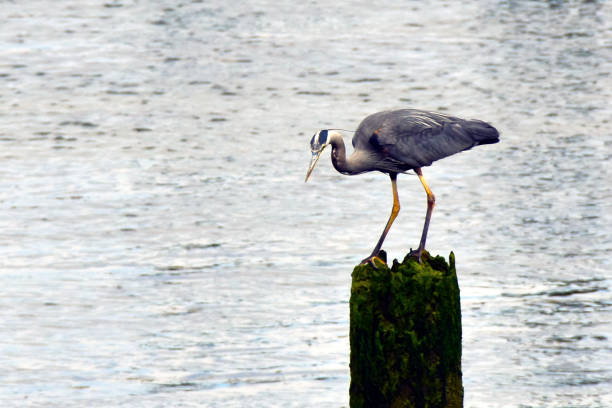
[(398, 141)]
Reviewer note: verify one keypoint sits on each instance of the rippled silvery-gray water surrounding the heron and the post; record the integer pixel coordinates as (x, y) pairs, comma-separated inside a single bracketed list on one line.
[(158, 246)]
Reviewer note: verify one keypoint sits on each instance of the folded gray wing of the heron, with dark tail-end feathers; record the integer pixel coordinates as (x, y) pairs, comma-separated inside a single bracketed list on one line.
[(410, 138)]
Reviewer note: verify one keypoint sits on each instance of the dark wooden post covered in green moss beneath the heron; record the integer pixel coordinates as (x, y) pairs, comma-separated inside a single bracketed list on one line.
[(405, 335)]
